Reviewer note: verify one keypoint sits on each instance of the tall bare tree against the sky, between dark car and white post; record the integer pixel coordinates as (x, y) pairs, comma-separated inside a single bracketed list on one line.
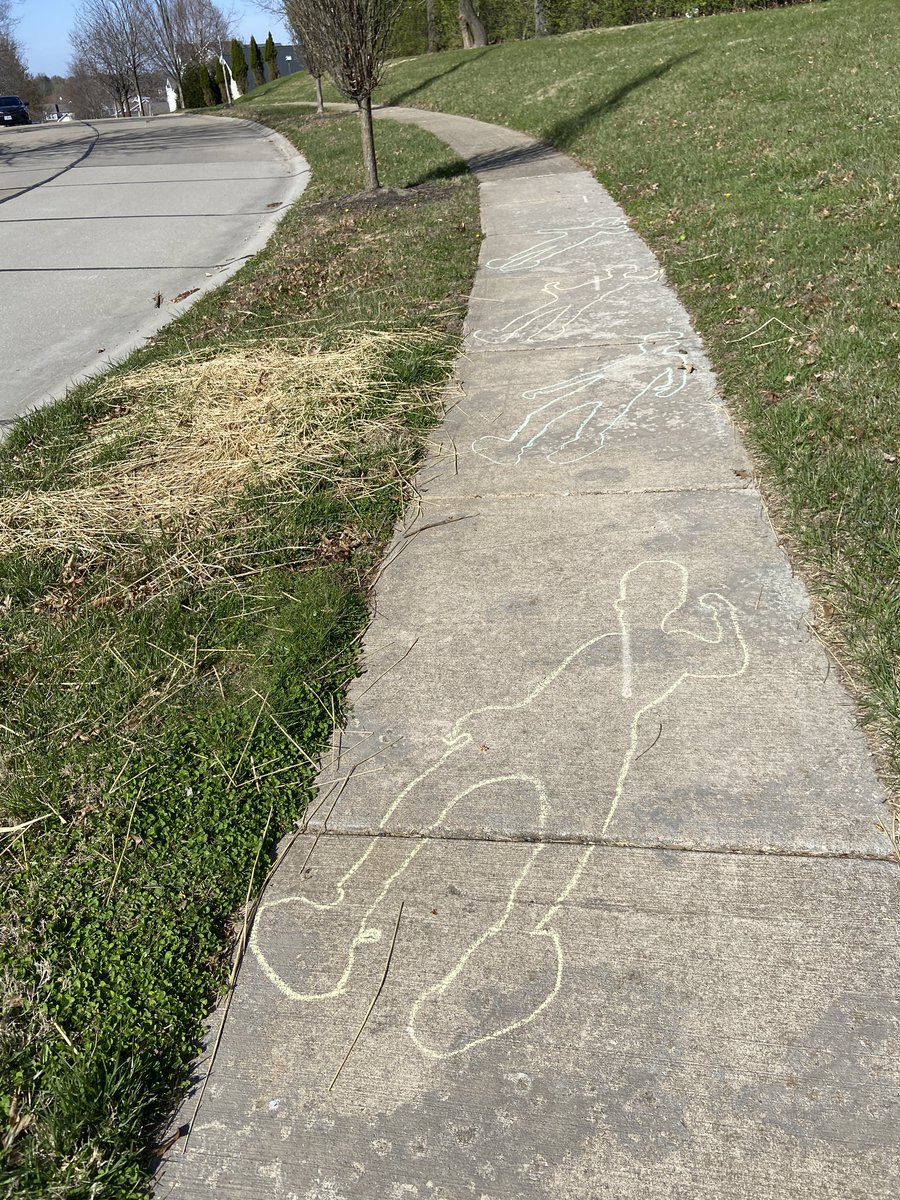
[(116, 35)]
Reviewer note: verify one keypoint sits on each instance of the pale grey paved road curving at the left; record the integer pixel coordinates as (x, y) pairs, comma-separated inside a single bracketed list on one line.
[(104, 225)]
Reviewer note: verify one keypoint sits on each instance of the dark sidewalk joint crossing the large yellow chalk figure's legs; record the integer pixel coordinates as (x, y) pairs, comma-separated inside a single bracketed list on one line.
[(889, 856)]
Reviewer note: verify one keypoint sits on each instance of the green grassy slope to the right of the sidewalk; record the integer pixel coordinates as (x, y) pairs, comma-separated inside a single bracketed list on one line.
[(758, 154)]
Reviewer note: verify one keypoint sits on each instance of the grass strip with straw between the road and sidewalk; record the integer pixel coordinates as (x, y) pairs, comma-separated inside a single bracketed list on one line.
[(185, 553)]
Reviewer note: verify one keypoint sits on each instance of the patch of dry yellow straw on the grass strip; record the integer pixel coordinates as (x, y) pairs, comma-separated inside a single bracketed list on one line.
[(190, 435)]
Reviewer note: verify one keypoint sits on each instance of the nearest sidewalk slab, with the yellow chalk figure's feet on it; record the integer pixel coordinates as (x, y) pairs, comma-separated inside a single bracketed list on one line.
[(557, 1023)]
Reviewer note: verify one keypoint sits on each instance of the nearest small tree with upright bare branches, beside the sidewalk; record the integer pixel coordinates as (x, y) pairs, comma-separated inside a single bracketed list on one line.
[(352, 37)]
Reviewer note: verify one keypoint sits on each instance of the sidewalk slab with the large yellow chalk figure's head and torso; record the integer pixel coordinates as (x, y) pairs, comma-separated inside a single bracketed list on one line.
[(578, 668)]
